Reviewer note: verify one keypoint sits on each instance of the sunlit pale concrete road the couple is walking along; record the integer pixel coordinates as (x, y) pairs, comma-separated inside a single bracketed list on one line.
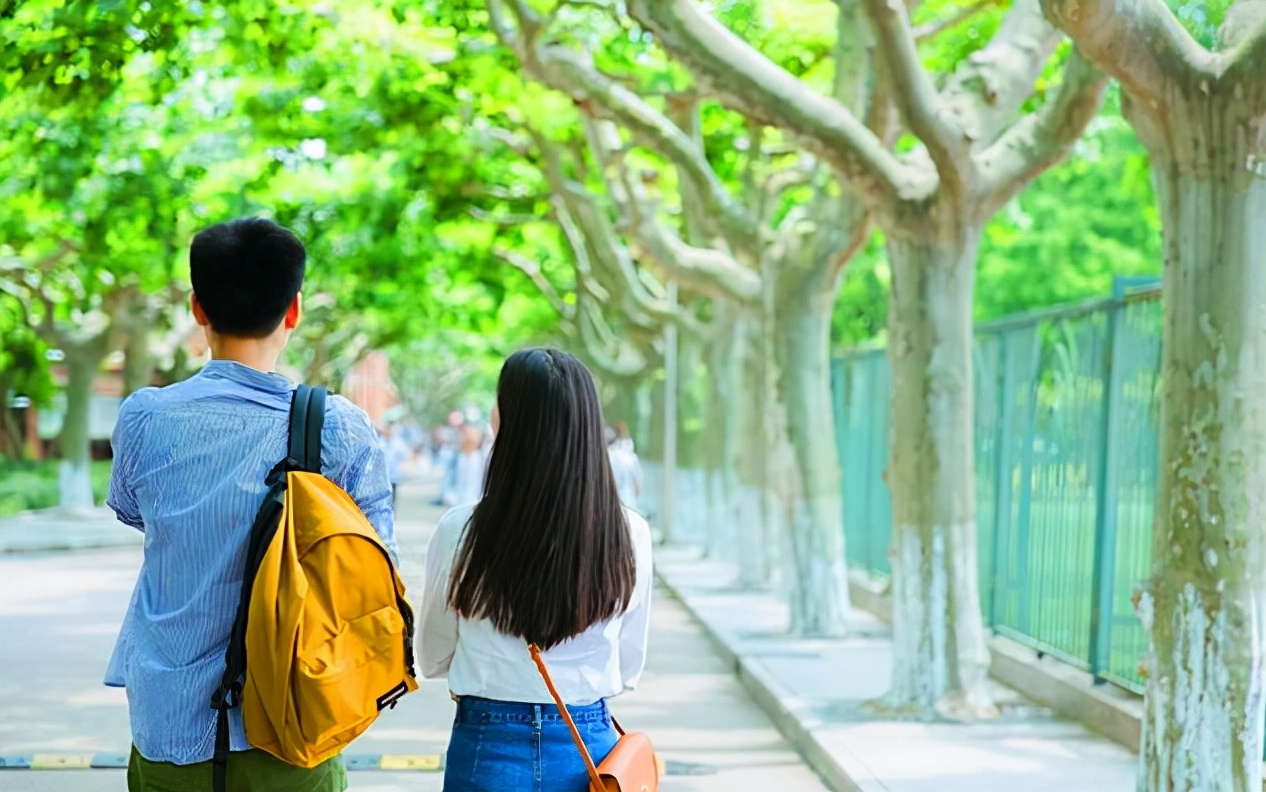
[(60, 613)]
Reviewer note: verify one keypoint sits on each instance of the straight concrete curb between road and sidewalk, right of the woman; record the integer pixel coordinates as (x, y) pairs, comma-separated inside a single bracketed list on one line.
[(782, 709)]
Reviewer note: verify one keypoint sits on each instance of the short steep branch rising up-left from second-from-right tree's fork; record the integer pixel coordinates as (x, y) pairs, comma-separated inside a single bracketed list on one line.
[(916, 97)]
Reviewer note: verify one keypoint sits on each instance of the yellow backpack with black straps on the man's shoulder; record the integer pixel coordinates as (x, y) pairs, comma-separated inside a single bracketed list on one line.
[(323, 636)]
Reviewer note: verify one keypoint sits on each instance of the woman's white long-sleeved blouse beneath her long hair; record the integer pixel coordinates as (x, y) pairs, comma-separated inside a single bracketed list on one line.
[(605, 661)]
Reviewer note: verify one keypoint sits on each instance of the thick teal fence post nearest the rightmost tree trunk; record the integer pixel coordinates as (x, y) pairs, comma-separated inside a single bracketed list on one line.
[(1106, 507)]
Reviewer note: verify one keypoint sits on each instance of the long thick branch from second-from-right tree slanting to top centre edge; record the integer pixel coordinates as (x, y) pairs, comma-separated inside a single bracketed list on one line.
[(751, 84)]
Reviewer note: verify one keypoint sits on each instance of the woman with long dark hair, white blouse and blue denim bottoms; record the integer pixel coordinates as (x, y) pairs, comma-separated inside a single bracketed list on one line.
[(548, 557)]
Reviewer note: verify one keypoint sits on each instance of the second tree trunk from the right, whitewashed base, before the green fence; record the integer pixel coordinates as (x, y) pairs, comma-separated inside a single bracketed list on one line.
[(941, 660)]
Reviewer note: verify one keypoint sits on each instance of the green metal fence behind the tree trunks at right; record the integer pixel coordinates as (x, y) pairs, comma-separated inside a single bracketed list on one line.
[(1067, 456)]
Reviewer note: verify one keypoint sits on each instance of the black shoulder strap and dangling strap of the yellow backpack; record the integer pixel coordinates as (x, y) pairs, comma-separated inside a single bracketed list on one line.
[(303, 454)]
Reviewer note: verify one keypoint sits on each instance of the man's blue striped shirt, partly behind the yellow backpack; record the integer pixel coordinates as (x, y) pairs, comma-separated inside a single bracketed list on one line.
[(189, 469)]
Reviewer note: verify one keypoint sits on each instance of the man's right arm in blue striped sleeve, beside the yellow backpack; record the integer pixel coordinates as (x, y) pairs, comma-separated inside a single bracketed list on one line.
[(354, 460)]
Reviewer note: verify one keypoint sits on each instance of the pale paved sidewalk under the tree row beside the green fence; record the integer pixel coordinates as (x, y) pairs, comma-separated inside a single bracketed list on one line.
[(815, 690)]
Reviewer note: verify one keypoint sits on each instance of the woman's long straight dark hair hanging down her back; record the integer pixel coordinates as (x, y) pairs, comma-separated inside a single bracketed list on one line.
[(548, 554)]
